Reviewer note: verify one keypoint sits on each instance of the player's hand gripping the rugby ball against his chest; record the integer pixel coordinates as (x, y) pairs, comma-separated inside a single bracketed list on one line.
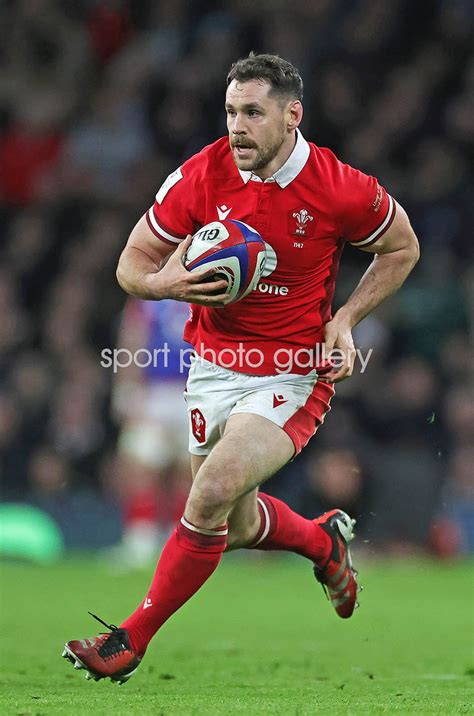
[(175, 282)]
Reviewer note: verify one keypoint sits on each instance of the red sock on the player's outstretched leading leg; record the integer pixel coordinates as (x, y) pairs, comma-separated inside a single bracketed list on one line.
[(188, 559)]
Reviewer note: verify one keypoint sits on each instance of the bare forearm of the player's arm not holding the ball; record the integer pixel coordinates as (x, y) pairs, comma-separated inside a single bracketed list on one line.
[(385, 275)]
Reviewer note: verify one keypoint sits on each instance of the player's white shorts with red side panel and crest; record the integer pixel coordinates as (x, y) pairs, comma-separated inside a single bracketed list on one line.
[(296, 403)]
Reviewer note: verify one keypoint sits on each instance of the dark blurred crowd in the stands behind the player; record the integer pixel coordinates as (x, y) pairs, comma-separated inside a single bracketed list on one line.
[(99, 102)]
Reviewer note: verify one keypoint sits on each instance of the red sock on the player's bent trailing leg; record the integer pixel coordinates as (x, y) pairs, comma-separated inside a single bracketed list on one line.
[(281, 528)]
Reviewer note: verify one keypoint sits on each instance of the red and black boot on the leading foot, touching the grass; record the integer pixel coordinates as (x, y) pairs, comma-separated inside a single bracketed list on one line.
[(104, 656)]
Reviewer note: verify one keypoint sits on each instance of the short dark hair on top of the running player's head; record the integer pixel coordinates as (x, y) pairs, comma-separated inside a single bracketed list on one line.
[(283, 77)]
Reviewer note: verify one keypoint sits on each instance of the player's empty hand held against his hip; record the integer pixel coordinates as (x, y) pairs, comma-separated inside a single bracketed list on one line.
[(338, 342)]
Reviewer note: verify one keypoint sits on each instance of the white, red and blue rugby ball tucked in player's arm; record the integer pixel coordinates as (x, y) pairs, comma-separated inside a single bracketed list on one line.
[(235, 249)]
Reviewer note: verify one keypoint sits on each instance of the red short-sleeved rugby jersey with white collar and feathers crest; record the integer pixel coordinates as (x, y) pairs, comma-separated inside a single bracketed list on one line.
[(306, 212)]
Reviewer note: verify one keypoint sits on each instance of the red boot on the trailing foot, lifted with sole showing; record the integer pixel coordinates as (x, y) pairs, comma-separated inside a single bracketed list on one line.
[(337, 575)]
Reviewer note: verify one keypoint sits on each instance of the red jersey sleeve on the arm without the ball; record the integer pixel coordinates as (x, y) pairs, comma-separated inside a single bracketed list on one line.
[(366, 210)]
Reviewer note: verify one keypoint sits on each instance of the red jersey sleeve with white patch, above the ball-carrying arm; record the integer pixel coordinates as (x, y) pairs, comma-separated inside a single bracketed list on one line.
[(173, 215)]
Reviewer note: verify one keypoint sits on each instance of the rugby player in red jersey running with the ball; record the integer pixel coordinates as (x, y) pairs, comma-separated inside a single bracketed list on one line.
[(251, 415)]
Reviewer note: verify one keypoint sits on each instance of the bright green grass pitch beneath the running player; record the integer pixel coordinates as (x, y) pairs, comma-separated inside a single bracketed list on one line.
[(259, 638)]
